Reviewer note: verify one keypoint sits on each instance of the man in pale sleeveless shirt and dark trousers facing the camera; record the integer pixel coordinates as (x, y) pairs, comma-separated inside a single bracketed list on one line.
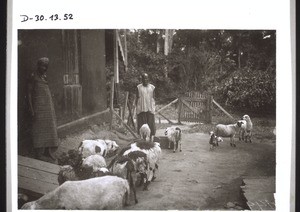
[(145, 107)]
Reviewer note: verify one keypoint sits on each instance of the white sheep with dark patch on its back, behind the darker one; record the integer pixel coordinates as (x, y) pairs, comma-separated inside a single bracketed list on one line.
[(153, 152)]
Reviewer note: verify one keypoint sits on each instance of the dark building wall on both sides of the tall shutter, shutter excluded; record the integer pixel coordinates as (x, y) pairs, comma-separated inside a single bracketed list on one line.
[(34, 44)]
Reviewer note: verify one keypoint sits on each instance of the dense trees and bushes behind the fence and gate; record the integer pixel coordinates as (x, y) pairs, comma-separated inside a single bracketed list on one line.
[(236, 66)]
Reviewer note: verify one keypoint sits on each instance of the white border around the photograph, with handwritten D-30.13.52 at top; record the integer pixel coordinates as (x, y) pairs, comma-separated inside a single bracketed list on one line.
[(188, 14)]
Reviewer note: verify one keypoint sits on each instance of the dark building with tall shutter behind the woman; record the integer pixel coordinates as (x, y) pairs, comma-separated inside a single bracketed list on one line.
[(77, 73)]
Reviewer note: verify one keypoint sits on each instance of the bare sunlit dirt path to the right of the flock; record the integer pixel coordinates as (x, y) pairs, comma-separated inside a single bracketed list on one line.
[(199, 179)]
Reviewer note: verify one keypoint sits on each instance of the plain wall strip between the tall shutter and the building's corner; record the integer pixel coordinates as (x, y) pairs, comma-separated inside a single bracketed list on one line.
[(93, 76)]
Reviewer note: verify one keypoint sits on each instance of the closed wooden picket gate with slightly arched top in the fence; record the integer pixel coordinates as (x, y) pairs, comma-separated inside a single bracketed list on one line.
[(195, 107)]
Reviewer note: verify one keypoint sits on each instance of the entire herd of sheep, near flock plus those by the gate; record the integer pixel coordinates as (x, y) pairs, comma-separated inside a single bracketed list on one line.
[(87, 182)]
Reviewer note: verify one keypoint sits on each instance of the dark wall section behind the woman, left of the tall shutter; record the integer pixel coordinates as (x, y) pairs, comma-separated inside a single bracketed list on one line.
[(34, 44)]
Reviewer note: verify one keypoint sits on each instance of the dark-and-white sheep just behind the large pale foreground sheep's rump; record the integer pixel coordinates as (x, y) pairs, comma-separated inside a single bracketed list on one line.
[(129, 166)]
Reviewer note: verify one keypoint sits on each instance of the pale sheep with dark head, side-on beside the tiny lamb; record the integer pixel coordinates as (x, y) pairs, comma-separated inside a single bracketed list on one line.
[(228, 131)]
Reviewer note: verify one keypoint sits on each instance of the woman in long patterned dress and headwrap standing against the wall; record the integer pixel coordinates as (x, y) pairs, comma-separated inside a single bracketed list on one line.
[(44, 128)]
